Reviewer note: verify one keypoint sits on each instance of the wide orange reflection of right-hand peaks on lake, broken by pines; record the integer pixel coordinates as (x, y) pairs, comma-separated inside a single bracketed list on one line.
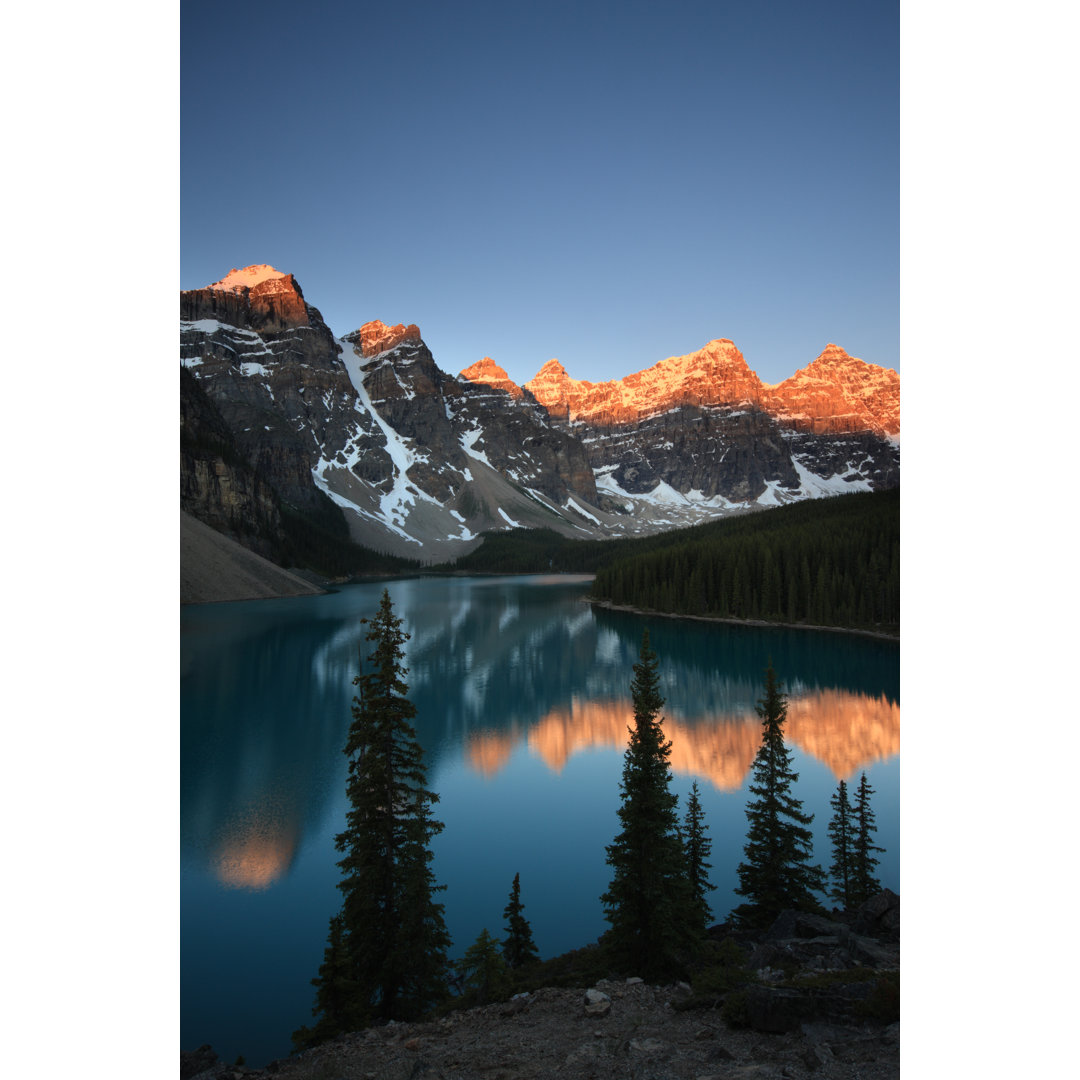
[(846, 731)]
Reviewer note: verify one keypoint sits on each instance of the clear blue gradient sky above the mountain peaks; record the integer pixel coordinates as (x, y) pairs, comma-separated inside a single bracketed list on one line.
[(610, 184)]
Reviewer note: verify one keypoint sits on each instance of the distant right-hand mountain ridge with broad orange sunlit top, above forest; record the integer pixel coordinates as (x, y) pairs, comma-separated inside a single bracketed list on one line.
[(705, 427)]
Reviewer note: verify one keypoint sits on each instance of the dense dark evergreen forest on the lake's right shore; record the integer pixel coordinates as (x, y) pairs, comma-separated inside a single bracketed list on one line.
[(831, 562)]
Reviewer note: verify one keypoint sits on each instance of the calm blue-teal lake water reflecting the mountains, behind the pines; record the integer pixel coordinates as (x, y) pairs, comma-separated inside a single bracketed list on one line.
[(523, 699)]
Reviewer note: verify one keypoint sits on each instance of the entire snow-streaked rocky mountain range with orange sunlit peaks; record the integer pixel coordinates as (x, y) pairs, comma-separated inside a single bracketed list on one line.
[(366, 436)]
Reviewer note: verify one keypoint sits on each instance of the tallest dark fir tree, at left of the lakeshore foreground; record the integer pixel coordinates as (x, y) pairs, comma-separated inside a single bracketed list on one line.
[(386, 956)]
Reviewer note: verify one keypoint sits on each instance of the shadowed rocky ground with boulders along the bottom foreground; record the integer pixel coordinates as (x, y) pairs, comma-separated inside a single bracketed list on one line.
[(818, 1006)]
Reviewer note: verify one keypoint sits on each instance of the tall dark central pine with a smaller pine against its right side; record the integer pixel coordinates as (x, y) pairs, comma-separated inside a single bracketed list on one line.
[(649, 903)]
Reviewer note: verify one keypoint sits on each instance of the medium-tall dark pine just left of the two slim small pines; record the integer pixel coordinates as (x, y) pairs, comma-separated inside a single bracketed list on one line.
[(777, 873)]
